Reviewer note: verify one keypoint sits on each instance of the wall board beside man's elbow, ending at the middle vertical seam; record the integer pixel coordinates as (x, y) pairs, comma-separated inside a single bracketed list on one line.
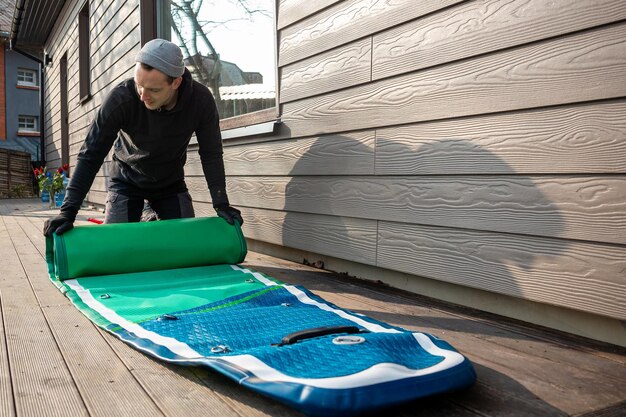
[(348, 154)]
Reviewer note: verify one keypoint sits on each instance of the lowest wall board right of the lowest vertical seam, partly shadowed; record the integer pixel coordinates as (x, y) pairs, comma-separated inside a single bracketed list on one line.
[(582, 276)]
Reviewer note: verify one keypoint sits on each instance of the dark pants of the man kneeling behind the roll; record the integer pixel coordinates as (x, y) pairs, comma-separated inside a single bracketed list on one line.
[(121, 208)]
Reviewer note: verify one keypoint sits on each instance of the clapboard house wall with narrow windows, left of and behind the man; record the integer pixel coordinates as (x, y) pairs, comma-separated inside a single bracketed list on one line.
[(114, 42)]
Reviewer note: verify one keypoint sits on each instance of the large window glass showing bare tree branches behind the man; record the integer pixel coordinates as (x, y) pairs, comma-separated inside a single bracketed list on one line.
[(229, 46)]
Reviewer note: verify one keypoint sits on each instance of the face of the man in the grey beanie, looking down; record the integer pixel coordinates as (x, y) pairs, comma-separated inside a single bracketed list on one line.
[(153, 88)]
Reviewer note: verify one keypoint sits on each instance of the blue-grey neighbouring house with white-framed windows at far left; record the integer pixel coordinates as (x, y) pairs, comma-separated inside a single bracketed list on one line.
[(19, 96)]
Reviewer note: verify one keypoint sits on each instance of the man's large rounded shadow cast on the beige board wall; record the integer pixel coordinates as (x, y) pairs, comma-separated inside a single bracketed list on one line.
[(448, 210)]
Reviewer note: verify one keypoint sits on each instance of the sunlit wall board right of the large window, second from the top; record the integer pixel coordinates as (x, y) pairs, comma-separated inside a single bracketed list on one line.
[(346, 22)]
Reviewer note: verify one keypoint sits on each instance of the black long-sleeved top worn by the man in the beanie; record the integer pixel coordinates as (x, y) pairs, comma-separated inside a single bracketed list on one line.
[(150, 146)]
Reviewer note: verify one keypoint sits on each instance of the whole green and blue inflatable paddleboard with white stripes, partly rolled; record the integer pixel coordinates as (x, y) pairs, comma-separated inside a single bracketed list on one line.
[(182, 298)]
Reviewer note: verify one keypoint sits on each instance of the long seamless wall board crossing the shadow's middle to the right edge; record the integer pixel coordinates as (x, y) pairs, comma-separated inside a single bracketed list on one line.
[(587, 208)]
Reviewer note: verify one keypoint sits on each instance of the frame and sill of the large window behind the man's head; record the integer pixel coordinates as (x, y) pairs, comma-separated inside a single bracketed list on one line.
[(153, 26)]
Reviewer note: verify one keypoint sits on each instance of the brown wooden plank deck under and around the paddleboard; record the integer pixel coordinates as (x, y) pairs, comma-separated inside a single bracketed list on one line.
[(54, 362)]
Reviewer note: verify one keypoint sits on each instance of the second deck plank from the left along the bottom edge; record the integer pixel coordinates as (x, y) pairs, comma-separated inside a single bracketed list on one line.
[(41, 382)]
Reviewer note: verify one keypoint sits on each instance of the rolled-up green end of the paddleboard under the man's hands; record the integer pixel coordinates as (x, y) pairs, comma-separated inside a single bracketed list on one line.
[(148, 246)]
